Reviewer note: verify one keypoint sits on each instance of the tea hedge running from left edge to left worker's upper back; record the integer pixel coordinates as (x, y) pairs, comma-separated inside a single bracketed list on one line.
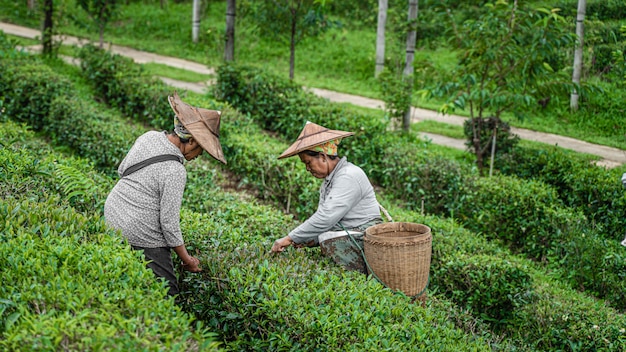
[(48, 102)]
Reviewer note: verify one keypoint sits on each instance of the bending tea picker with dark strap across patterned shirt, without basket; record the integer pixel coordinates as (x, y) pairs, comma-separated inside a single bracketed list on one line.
[(145, 202)]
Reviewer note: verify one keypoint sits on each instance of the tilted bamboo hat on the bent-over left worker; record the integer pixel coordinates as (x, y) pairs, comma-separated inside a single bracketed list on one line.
[(203, 124)]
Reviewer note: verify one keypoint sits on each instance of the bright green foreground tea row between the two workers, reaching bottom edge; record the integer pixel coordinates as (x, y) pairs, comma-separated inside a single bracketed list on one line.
[(300, 300)]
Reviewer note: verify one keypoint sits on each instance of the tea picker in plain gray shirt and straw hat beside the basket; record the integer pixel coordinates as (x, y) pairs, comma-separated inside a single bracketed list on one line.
[(347, 203)]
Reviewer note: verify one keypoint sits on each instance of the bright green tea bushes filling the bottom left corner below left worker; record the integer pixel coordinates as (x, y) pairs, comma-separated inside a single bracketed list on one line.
[(69, 283)]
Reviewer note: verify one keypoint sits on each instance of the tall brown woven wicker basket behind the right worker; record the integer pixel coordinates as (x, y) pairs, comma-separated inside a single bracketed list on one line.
[(398, 253)]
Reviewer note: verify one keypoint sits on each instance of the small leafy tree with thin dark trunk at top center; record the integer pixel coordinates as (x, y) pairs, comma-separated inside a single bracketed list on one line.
[(291, 21)]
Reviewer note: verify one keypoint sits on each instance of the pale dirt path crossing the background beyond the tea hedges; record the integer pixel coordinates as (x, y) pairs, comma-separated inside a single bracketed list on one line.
[(612, 157)]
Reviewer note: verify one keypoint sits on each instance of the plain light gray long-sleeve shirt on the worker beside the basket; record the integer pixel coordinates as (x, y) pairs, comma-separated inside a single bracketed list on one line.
[(346, 197)]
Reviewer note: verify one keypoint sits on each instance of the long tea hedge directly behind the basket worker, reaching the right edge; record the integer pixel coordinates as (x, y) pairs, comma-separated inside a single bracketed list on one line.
[(537, 226)]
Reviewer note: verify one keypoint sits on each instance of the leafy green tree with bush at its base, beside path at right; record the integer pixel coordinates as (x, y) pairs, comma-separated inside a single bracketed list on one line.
[(503, 67)]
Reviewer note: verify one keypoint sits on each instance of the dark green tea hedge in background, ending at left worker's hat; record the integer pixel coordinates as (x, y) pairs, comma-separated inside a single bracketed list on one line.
[(123, 84)]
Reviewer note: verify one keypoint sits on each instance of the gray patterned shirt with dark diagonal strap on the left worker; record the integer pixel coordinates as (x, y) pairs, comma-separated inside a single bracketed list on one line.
[(145, 205)]
